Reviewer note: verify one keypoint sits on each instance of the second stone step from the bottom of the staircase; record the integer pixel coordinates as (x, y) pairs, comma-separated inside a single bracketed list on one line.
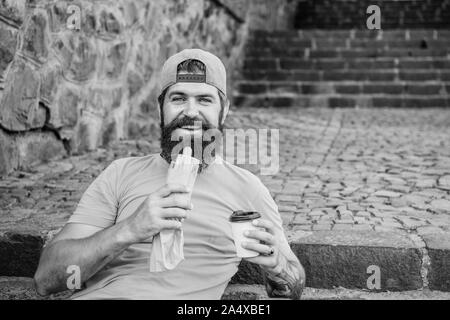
[(342, 87)]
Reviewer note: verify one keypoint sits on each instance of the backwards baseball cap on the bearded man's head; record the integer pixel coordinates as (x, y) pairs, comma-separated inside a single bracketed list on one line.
[(215, 73)]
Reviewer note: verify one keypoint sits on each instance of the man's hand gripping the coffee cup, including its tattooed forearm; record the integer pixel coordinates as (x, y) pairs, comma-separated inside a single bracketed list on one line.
[(284, 276)]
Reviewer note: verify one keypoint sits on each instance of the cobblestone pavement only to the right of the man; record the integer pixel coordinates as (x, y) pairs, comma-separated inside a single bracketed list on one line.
[(365, 169)]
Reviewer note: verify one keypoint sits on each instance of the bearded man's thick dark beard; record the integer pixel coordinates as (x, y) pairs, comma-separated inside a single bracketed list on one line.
[(203, 146)]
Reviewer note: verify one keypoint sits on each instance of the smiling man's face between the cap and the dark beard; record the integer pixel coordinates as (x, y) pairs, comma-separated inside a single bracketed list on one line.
[(186, 103)]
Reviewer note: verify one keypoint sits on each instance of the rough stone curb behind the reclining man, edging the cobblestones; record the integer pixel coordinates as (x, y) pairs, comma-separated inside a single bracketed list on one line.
[(349, 259)]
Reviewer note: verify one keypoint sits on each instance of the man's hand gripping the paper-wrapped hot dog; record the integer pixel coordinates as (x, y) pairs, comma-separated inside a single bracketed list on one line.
[(159, 211)]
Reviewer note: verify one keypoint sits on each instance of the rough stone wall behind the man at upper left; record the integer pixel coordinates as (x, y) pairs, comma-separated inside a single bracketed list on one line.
[(66, 90)]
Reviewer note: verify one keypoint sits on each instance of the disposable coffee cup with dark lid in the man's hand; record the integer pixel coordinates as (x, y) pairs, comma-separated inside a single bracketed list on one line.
[(241, 221)]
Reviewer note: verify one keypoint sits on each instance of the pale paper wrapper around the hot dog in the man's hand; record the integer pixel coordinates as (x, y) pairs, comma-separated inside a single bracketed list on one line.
[(167, 247)]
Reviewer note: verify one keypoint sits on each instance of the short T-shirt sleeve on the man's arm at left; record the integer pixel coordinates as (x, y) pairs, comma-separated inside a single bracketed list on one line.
[(99, 203)]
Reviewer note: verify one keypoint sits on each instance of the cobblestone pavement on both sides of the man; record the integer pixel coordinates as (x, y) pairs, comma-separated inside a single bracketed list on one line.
[(340, 169)]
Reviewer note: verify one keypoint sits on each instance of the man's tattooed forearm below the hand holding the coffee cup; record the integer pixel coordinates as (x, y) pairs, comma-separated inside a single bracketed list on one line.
[(287, 281)]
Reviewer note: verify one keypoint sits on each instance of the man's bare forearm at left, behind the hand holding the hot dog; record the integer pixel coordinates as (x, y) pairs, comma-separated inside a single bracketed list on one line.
[(90, 254)]
